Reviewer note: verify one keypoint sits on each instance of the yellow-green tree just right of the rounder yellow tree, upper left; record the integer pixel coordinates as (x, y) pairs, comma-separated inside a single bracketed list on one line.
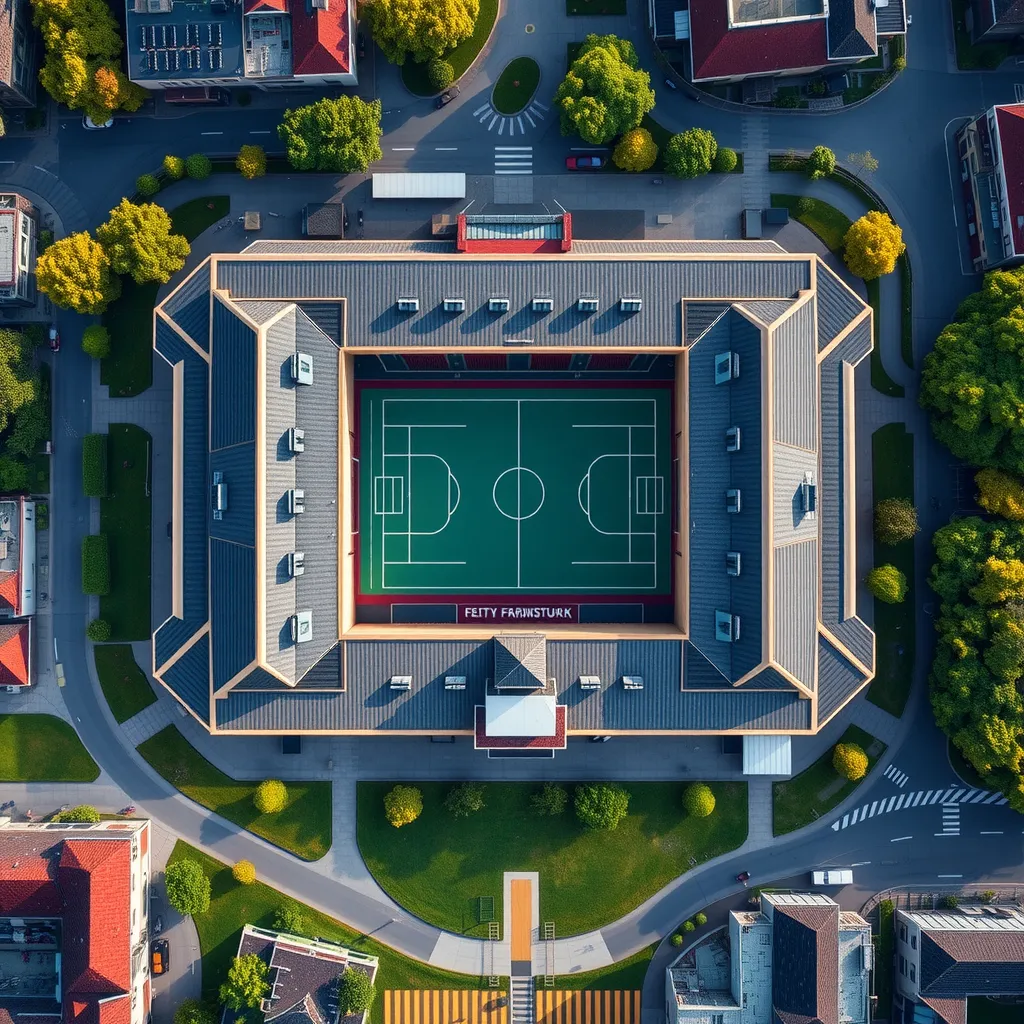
[(140, 240)]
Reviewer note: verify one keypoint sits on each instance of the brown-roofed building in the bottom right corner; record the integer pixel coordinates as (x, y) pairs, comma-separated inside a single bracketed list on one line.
[(945, 957)]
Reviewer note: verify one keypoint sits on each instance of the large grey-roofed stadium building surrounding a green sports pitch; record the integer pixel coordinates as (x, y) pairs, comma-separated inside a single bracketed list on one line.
[(521, 488)]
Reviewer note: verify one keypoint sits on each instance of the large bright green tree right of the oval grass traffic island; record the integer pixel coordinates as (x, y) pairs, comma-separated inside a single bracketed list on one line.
[(605, 94)]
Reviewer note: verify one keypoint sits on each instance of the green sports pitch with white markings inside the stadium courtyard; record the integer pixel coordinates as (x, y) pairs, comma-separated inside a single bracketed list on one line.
[(499, 491)]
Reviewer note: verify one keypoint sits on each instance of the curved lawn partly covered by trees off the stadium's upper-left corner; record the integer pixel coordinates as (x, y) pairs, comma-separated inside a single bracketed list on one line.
[(129, 370)]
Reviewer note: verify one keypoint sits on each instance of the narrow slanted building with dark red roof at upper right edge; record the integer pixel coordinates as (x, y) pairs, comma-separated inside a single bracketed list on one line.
[(991, 150)]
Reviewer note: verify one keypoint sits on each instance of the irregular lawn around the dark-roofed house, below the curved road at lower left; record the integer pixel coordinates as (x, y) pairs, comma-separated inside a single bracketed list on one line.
[(233, 906)]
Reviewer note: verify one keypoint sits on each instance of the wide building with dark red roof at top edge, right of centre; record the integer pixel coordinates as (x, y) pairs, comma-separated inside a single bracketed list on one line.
[(733, 40)]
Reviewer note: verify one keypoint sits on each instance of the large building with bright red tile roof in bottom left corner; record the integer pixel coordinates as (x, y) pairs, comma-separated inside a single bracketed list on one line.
[(74, 922)]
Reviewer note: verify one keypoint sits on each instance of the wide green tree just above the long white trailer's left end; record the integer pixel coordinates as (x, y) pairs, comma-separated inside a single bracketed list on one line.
[(338, 135)]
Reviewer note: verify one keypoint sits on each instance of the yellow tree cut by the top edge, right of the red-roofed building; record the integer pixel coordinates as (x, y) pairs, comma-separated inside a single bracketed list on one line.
[(420, 29)]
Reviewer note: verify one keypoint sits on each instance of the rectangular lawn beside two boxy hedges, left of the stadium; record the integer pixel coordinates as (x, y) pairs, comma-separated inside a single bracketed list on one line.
[(125, 519)]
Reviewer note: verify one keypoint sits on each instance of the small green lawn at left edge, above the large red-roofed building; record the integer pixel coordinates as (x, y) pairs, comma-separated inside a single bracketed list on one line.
[(42, 749)]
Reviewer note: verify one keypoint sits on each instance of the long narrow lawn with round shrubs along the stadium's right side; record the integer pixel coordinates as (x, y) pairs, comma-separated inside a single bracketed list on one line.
[(895, 628)]
